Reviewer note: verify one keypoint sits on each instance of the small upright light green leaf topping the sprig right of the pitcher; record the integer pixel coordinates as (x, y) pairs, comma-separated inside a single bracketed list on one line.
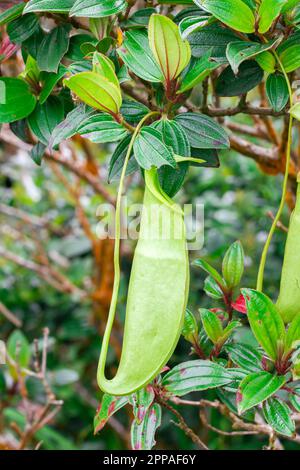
[(233, 265)]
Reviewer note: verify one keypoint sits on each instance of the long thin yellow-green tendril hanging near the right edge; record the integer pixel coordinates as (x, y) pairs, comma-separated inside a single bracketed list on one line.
[(261, 270)]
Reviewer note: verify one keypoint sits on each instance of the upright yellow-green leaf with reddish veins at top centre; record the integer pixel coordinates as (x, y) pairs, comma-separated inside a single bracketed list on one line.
[(171, 52)]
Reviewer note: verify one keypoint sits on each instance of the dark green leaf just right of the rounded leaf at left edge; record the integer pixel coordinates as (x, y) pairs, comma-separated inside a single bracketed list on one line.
[(45, 118)]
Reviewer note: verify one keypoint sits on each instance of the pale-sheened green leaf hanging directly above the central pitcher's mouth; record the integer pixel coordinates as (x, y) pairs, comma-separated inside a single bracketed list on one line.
[(149, 149)]
